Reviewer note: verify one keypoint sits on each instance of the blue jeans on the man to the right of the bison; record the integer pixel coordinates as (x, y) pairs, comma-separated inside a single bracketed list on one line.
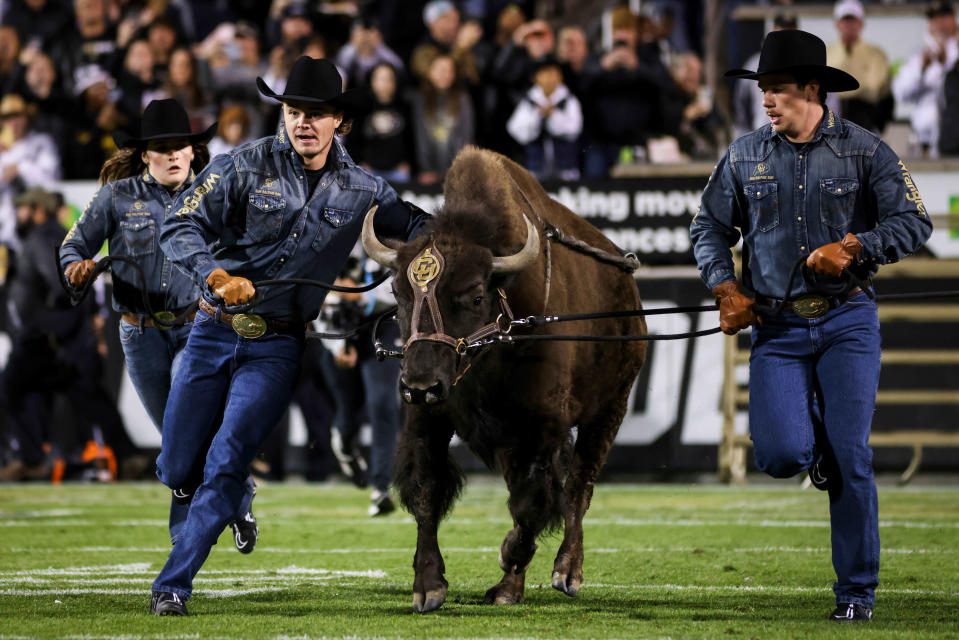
[(812, 389)]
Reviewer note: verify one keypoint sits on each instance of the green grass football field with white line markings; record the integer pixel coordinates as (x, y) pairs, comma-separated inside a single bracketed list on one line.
[(663, 561)]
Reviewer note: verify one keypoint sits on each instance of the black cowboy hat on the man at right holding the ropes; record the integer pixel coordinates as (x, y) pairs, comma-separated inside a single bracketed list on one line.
[(793, 51)]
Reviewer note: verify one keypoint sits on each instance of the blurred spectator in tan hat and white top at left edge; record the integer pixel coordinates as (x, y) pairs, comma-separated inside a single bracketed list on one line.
[(27, 159)]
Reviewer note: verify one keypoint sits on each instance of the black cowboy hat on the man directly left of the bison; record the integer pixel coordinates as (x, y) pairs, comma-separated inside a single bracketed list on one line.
[(317, 82)]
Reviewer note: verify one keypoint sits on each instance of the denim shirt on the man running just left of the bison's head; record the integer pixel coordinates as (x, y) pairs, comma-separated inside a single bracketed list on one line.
[(250, 213)]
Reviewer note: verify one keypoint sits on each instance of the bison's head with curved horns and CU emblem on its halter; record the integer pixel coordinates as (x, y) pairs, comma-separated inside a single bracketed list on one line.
[(446, 289)]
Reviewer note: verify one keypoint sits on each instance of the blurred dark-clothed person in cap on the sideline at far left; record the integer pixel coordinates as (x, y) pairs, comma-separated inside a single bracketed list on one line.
[(54, 351)]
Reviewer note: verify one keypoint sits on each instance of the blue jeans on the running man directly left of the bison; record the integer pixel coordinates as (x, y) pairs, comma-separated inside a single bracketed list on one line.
[(229, 392)]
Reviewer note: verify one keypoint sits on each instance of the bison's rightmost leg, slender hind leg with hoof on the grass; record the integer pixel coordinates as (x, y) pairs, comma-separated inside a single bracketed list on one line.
[(592, 446)]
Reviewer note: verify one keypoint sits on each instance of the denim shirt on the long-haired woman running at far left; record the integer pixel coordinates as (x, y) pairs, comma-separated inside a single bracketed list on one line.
[(128, 214)]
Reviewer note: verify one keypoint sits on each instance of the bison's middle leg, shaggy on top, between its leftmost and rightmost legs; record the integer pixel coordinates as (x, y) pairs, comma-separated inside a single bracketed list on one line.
[(536, 493)]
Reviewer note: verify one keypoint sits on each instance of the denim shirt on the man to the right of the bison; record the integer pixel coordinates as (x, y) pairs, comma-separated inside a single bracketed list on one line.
[(787, 200)]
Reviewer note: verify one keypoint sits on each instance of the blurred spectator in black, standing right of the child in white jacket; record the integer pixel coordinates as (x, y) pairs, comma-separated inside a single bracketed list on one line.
[(625, 88)]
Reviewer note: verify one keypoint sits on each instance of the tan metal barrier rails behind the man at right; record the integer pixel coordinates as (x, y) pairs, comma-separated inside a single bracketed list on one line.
[(733, 445)]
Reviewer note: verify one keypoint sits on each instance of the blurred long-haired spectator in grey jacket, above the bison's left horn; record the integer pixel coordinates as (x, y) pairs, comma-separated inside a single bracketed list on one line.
[(443, 120)]
